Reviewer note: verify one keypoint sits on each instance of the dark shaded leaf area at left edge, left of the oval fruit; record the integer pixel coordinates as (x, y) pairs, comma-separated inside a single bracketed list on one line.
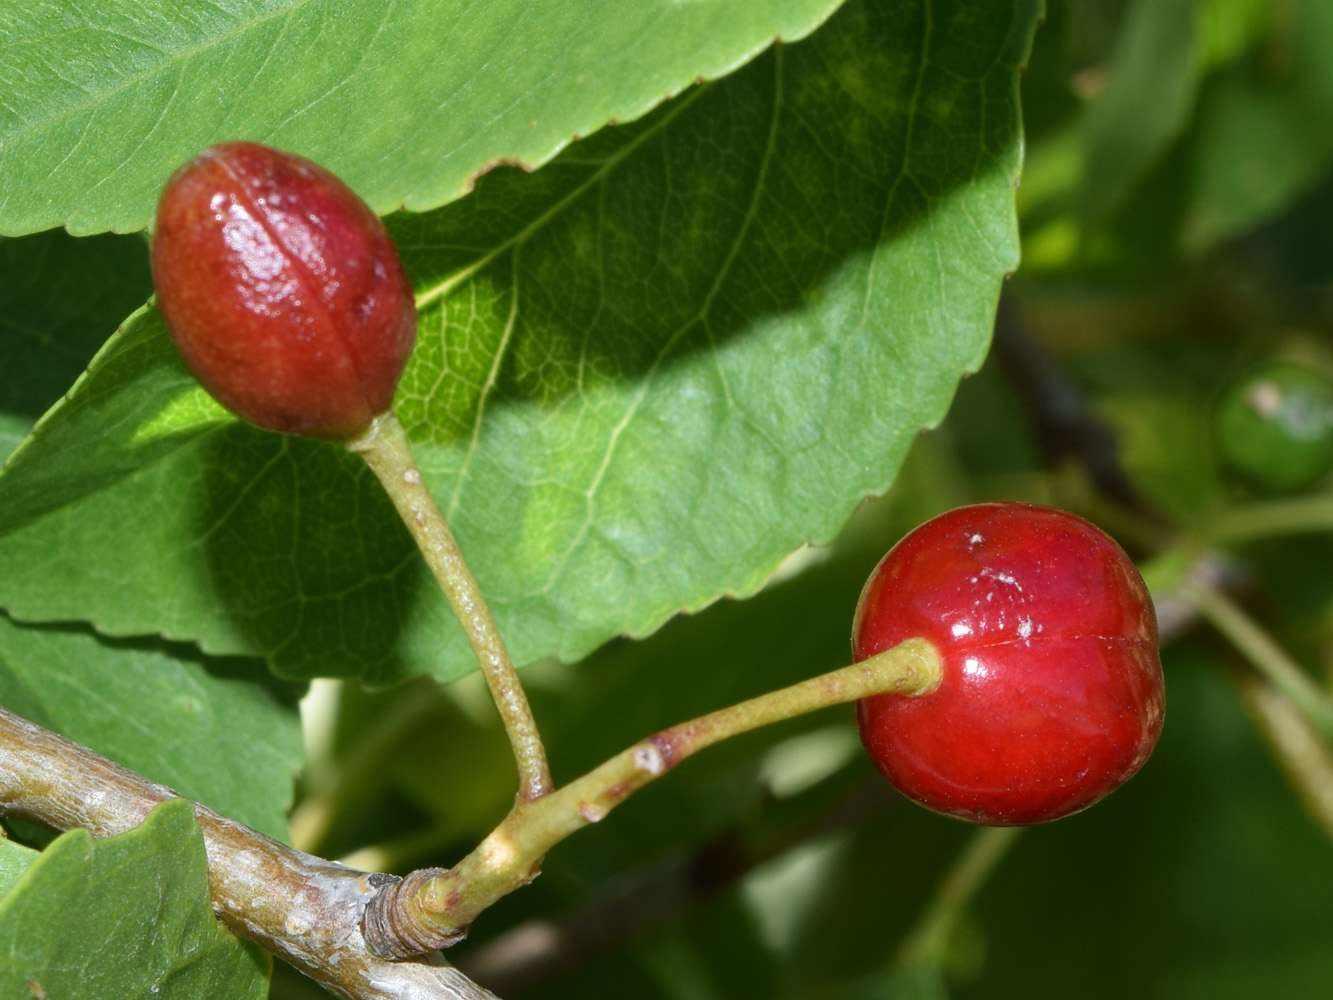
[(61, 299)]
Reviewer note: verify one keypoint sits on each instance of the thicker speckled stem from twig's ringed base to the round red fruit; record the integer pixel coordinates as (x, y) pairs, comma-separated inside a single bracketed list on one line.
[(434, 909)]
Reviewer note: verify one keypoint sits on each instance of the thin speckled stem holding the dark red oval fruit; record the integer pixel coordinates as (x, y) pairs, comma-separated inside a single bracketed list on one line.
[(386, 449)]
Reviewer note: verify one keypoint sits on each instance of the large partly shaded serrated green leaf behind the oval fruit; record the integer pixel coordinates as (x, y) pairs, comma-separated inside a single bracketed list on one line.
[(646, 375)]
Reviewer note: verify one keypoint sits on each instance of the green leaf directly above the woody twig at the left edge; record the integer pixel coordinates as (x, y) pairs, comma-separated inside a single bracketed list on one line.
[(213, 730)]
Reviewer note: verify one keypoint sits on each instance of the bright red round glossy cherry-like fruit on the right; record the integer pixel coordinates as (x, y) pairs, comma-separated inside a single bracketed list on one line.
[(1052, 691)]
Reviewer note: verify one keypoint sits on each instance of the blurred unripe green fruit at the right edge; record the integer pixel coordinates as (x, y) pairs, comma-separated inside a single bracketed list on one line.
[(1275, 427)]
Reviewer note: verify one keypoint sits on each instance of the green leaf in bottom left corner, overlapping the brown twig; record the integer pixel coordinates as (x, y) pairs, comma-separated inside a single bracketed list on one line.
[(125, 918)]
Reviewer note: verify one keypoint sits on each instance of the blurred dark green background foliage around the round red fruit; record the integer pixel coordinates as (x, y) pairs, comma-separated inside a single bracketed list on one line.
[(1178, 222)]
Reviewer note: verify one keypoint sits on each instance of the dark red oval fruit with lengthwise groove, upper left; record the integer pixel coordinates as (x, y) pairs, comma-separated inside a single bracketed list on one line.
[(283, 291)]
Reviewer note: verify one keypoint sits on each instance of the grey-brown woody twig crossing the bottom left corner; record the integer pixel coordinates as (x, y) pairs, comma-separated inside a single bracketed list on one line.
[(305, 910)]
